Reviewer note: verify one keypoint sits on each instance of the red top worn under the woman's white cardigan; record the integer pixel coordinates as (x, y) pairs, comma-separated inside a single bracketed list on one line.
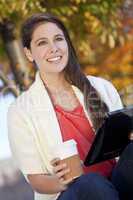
[(75, 125)]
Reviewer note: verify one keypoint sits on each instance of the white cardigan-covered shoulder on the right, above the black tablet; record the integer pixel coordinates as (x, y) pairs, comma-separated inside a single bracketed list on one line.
[(107, 91)]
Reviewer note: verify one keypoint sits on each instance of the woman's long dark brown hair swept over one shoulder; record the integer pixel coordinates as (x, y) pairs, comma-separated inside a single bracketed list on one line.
[(94, 105)]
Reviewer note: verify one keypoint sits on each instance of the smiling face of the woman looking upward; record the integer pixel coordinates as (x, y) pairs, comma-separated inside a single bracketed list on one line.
[(49, 48)]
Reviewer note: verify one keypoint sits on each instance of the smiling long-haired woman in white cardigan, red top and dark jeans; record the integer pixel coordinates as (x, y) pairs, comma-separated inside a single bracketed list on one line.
[(62, 104)]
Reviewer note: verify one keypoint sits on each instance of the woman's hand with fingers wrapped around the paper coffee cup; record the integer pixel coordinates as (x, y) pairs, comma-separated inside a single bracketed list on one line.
[(59, 170)]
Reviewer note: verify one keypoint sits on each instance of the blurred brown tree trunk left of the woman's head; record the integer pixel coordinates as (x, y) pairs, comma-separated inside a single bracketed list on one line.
[(19, 65)]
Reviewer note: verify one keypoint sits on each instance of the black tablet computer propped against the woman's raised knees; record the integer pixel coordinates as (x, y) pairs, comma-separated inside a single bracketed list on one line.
[(112, 137)]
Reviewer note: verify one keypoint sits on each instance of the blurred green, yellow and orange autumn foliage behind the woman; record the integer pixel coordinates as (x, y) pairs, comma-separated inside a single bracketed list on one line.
[(101, 31)]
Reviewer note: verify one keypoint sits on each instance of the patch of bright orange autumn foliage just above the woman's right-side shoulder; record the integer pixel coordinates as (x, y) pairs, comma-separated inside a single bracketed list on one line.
[(118, 67)]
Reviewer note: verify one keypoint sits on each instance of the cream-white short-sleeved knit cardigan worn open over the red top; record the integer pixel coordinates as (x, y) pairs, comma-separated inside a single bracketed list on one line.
[(34, 129)]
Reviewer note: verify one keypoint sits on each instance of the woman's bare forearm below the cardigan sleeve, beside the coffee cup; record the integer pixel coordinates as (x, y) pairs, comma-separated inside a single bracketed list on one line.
[(46, 184)]
